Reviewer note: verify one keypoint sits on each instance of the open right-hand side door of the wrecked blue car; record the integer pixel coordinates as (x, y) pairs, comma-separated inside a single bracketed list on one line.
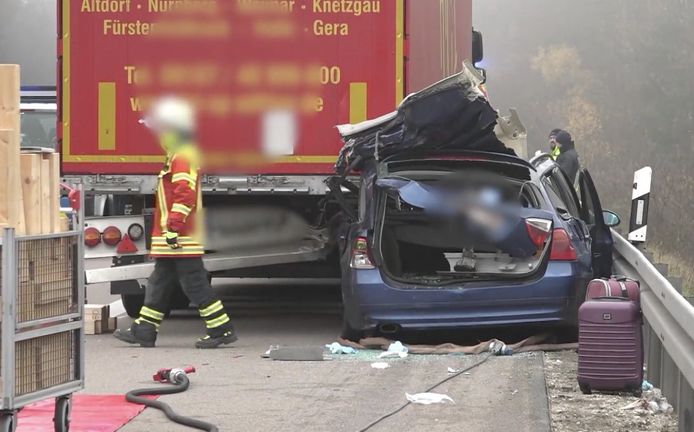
[(591, 214)]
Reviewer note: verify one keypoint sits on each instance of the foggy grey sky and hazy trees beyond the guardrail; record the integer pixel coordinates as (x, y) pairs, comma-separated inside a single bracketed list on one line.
[(619, 76)]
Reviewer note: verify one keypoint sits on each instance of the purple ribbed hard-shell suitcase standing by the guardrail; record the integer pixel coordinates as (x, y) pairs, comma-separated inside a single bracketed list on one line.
[(610, 344)]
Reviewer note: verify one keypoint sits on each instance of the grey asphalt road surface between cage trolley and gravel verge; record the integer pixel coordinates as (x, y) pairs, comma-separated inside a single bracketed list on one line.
[(239, 391)]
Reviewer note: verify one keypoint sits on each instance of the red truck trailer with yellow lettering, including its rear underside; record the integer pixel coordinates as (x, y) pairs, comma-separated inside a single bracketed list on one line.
[(270, 80)]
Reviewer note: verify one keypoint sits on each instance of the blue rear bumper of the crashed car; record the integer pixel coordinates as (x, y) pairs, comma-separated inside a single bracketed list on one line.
[(370, 301)]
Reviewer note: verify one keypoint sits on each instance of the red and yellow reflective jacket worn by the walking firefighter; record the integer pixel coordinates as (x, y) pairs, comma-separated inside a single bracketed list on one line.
[(179, 205)]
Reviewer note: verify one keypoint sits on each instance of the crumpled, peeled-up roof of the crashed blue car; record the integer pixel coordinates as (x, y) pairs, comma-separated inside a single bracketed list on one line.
[(452, 114)]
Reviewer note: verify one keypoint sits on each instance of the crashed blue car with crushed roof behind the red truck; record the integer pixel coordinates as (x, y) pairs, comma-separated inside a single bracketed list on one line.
[(444, 227)]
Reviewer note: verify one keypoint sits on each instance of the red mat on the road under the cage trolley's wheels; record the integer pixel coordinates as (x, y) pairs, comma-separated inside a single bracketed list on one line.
[(90, 413)]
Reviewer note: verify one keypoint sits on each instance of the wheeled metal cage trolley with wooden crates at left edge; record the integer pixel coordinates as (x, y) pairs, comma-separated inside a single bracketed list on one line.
[(42, 350)]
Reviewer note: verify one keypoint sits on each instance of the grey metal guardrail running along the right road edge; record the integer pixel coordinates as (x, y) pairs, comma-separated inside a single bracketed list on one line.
[(668, 330)]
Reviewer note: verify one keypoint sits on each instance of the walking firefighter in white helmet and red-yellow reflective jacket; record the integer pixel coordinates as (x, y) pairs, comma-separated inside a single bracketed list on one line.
[(177, 244)]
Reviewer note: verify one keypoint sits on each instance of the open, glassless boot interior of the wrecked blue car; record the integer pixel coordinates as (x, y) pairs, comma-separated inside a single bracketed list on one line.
[(425, 248)]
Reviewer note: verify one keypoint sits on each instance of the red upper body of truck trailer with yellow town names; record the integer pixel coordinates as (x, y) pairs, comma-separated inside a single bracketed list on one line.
[(270, 84)]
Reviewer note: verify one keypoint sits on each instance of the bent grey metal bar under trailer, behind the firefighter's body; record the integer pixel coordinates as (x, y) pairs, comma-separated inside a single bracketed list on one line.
[(305, 251)]
